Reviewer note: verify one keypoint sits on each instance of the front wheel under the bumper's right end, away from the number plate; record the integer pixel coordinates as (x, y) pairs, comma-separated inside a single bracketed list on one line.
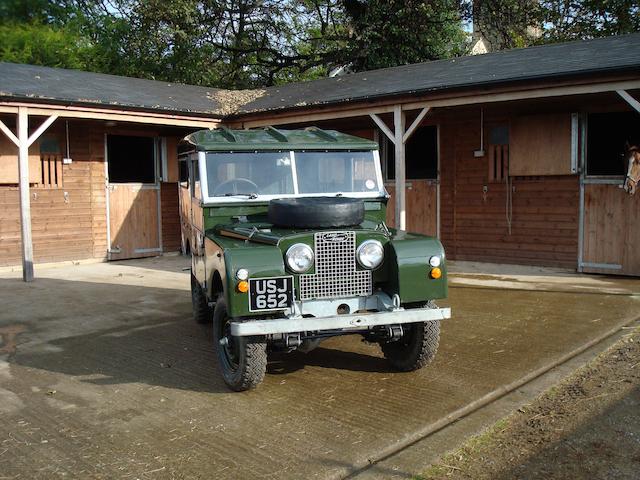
[(416, 348)]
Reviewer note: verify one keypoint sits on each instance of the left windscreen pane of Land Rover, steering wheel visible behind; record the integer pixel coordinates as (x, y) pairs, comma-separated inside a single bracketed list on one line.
[(249, 173)]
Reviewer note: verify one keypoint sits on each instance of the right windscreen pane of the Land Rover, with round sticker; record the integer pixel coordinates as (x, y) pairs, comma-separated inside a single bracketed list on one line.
[(336, 172)]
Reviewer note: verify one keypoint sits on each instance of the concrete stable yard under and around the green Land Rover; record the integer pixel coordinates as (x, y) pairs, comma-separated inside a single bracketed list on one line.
[(103, 374)]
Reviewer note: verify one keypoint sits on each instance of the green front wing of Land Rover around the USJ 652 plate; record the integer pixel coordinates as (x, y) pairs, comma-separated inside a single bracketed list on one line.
[(260, 261)]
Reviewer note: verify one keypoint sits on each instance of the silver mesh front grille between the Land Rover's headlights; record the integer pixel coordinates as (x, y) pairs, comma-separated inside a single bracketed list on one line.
[(336, 275)]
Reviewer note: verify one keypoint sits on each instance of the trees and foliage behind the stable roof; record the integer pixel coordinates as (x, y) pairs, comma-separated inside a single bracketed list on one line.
[(251, 43)]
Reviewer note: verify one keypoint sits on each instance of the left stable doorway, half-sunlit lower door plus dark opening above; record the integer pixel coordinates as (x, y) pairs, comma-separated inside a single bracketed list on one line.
[(134, 197)]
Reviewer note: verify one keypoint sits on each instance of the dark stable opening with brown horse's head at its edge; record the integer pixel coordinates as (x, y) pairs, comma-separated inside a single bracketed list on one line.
[(607, 137)]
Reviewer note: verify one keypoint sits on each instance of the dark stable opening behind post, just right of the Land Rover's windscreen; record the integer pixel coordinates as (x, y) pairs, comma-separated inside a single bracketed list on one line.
[(421, 155)]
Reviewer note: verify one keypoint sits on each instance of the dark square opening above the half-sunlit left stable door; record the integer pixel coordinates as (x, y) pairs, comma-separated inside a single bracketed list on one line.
[(131, 159)]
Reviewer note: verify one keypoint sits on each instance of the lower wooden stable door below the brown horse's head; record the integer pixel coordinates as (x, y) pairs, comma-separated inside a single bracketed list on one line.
[(611, 230)]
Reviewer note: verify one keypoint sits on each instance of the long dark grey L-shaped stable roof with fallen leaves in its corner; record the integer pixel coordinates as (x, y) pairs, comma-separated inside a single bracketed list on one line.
[(566, 60)]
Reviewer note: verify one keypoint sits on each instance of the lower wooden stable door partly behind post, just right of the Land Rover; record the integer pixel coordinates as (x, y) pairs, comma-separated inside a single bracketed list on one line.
[(421, 205)]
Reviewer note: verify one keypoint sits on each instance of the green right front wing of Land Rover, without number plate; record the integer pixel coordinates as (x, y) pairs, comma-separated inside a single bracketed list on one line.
[(409, 269)]
